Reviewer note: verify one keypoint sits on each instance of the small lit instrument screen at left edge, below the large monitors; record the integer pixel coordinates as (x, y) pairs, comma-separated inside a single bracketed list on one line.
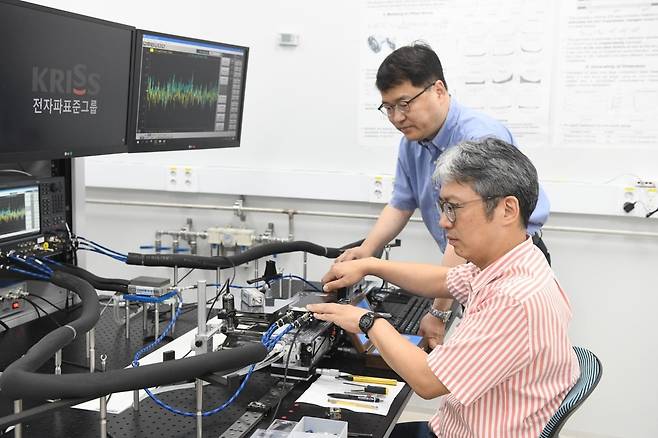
[(19, 211)]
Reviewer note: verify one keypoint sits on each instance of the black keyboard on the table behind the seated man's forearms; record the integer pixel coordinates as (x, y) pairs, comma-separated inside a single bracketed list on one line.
[(406, 311)]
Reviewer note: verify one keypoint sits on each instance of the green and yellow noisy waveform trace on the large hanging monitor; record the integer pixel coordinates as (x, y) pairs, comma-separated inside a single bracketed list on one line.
[(175, 93)]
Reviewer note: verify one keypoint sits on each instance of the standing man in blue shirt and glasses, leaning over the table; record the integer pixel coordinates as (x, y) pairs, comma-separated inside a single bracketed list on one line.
[(416, 101)]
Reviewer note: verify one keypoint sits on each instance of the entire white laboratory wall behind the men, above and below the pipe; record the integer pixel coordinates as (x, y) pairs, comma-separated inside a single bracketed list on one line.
[(300, 113)]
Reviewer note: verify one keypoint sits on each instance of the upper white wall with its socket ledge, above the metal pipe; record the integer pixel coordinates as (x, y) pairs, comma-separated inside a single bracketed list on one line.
[(301, 111)]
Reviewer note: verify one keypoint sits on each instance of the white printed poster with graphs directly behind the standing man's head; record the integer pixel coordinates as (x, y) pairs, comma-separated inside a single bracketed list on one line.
[(496, 57)]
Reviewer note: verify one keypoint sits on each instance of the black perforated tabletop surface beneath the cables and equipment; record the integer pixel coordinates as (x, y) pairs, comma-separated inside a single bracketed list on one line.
[(151, 420)]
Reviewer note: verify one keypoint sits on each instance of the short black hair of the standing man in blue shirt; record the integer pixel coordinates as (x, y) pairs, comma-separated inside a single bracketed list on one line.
[(417, 63)]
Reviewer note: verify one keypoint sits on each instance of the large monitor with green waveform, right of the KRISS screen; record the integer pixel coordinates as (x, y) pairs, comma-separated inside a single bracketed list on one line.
[(188, 93)]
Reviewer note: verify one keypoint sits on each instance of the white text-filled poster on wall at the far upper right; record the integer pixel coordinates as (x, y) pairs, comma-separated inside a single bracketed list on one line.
[(607, 74)]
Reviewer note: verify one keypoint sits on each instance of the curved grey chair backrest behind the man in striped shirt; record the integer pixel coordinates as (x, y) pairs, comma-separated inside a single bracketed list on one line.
[(590, 374)]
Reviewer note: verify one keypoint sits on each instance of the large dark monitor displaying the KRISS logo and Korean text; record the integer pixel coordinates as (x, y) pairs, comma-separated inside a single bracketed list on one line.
[(64, 83)]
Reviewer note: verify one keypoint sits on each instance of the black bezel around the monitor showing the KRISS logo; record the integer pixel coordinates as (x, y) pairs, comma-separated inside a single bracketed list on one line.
[(51, 152)]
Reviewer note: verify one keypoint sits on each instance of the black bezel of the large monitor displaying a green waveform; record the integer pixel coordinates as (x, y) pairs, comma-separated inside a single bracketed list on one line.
[(178, 144)]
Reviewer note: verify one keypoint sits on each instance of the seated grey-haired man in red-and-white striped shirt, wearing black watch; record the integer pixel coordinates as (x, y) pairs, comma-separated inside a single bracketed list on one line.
[(509, 363)]
